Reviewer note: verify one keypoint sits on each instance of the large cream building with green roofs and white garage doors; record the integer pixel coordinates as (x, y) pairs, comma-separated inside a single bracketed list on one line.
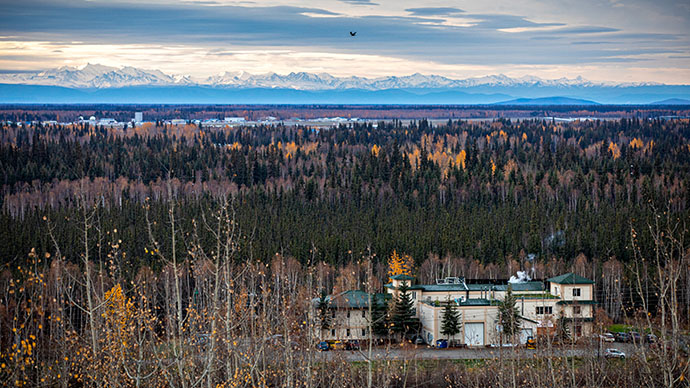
[(540, 307)]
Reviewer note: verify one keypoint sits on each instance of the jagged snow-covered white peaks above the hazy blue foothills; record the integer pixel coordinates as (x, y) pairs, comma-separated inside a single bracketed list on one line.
[(99, 76)]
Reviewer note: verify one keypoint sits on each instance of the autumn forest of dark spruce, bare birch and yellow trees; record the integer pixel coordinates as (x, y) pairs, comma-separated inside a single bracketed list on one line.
[(125, 245)]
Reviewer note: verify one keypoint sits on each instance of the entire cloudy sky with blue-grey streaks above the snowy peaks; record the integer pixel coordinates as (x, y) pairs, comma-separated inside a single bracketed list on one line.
[(602, 40)]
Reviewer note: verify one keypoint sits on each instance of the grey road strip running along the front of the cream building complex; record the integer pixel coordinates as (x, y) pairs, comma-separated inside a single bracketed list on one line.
[(426, 353)]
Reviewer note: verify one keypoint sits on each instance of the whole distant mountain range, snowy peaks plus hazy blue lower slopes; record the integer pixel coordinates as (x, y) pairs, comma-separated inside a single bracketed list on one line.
[(98, 83)]
